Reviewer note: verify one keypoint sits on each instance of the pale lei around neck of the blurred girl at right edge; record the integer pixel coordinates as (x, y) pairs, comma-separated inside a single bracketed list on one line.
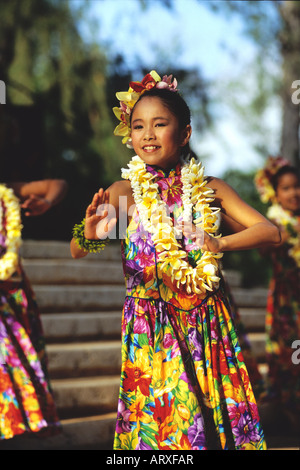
[(289, 222)]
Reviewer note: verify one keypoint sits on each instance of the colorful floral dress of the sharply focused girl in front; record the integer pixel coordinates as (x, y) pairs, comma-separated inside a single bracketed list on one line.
[(184, 384)]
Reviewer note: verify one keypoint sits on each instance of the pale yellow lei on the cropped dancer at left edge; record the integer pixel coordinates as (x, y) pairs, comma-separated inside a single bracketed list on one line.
[(10, 211)]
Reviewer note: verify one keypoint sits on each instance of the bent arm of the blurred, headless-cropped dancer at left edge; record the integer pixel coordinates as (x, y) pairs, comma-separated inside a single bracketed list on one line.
[(38, 196)]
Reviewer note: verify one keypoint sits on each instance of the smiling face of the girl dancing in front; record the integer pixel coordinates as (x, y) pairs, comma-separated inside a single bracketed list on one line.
[(155, 133)]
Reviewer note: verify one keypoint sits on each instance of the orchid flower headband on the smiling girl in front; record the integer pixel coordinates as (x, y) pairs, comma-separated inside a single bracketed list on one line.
[(129, 98)]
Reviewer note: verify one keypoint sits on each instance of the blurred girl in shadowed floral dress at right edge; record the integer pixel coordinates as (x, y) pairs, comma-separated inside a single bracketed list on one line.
[(279, 184)]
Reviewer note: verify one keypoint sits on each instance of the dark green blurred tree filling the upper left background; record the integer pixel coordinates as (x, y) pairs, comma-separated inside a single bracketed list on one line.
[(47, 66)]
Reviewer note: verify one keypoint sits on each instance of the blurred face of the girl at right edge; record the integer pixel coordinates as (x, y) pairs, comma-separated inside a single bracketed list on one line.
[(288, 192)]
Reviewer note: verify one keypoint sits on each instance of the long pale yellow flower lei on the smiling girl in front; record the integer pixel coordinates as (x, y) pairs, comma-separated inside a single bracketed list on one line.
[(172, 259)]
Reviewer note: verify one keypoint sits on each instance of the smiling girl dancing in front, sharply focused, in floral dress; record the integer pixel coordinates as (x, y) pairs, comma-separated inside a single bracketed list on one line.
[(184, 384)]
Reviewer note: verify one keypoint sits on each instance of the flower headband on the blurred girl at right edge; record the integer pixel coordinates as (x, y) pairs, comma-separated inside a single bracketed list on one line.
[(263, 178)]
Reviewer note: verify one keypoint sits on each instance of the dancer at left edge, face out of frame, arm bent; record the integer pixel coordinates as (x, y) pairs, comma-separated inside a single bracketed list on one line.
[(26, 402)]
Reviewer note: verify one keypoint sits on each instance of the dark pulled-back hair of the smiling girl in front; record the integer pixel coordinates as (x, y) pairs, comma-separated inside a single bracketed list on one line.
[(176, 105)]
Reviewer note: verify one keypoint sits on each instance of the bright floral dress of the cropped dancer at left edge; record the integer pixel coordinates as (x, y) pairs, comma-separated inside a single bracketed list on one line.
[(26, 402)]
